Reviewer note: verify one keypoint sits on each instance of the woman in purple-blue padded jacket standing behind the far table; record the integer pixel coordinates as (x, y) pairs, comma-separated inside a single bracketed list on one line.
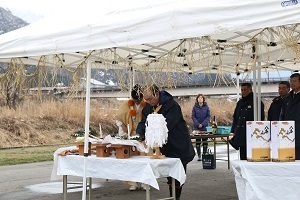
[(201, 117)]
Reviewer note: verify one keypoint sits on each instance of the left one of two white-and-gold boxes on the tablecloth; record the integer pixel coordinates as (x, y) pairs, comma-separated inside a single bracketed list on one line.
[(258, 140)]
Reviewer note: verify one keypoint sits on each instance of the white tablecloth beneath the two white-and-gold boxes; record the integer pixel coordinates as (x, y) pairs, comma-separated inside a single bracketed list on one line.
[(267, 180)]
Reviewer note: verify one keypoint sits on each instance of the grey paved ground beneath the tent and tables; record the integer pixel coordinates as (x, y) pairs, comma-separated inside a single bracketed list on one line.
[(32, 182)]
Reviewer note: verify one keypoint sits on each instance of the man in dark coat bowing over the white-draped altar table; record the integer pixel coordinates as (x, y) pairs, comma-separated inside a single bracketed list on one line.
[(179, 143)]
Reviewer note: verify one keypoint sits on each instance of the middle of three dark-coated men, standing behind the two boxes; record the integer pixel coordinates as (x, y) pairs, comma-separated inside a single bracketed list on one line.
[(276, 105)]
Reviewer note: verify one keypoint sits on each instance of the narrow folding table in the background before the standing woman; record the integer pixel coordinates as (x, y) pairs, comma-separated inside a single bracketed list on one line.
[(215, 139)]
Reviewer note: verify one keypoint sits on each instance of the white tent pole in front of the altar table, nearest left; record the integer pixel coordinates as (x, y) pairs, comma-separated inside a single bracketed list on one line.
[(87, 122)]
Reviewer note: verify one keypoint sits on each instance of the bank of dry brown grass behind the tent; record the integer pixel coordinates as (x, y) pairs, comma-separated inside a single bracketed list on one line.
[(53, 122)]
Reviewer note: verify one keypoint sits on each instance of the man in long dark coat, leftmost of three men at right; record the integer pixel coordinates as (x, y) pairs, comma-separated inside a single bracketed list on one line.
[(243, 112)]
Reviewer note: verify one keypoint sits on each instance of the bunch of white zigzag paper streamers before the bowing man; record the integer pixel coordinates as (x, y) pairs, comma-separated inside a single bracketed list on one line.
[(156, 130)]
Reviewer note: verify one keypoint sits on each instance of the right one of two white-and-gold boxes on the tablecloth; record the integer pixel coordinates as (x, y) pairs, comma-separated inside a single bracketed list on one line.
[(283, 141)]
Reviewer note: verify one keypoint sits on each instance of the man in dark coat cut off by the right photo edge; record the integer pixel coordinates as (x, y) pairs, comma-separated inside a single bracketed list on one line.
[(291, 109)]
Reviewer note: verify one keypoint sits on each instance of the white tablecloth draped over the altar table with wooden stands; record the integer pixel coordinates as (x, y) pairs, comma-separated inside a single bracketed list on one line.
[(137, 169)]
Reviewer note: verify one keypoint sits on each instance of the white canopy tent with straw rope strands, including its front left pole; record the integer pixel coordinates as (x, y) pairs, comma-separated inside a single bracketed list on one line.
[(173, 35)]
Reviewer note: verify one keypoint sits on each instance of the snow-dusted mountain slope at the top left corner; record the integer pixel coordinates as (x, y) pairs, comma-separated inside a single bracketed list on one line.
[(9, 22)]
